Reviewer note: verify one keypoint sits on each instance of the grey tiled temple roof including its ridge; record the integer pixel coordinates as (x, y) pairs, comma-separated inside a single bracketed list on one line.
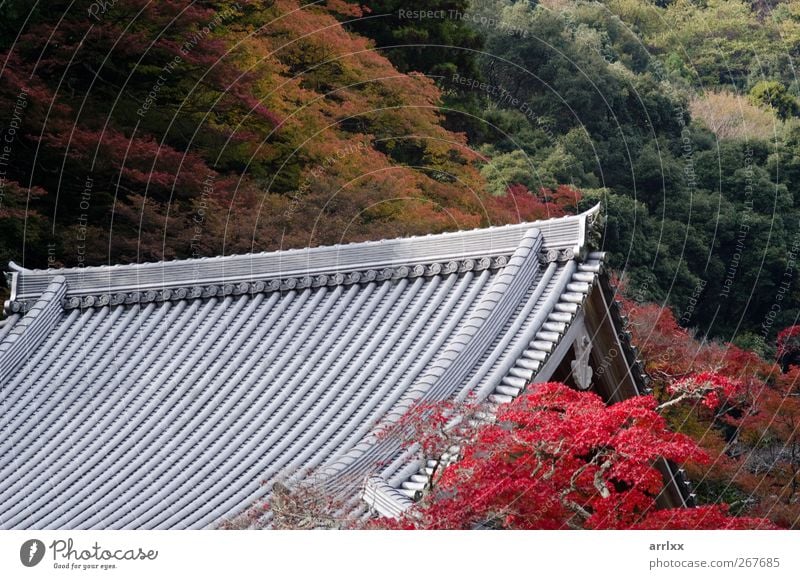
[(164, 395)]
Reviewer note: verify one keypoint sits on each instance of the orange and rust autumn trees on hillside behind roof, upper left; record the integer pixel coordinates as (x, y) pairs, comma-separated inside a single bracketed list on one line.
[(159, 130)]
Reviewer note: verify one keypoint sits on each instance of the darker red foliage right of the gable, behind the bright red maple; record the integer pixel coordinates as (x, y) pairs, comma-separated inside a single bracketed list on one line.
[(747, 420)]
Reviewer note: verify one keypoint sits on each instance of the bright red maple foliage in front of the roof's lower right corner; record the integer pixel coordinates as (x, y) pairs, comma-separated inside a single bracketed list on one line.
[(557, 458)]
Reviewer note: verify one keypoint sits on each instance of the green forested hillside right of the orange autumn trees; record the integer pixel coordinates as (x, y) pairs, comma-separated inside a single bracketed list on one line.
[(679, 116)]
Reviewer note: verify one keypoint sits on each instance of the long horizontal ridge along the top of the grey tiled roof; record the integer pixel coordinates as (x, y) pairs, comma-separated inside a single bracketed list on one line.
[(288, 269)]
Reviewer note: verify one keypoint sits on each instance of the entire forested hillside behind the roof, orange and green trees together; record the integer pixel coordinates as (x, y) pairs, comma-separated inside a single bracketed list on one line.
[(144, 131)]
